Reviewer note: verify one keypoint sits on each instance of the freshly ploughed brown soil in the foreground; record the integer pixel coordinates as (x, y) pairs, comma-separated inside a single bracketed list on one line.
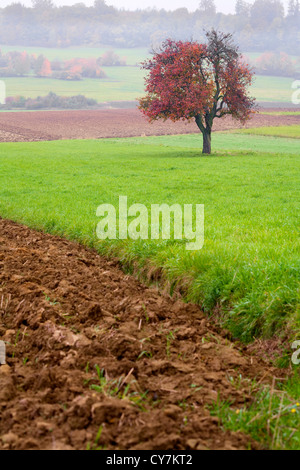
[(65, 310)]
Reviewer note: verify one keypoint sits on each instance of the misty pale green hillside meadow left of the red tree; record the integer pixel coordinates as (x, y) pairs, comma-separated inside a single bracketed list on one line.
[(123, 83)]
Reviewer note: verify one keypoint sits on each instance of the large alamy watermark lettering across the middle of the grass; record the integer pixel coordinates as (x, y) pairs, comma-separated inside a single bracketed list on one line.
[(163, 221)]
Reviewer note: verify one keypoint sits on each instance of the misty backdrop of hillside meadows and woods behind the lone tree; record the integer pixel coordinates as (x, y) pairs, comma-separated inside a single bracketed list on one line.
[(54, 55)]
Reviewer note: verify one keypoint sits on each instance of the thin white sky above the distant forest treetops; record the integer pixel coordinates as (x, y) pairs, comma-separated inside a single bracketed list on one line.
[(224, 6)]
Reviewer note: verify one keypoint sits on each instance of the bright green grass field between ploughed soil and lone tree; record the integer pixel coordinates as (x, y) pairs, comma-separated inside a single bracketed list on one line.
[(248, 269)]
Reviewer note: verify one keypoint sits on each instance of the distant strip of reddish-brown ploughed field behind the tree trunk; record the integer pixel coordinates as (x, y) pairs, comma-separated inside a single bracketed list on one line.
[(56, 125)]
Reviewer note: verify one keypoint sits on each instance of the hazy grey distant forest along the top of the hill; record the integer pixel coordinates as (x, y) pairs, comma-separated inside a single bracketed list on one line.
[(260, 26)]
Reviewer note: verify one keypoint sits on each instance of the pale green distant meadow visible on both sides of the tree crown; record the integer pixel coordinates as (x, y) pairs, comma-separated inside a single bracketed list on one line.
[(123, 83)]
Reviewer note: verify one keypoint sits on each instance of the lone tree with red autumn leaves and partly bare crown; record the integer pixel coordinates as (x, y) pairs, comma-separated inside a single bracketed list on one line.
[(188, 80)]
